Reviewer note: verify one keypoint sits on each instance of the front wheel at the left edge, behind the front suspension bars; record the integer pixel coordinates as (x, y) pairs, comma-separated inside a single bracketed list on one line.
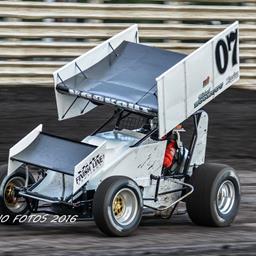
[(11, 204)]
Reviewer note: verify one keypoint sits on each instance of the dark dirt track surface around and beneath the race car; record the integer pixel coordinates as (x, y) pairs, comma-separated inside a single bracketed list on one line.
[(231, 140)]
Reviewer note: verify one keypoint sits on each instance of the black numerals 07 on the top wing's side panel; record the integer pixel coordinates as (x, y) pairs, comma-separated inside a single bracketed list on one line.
[(224, 47)]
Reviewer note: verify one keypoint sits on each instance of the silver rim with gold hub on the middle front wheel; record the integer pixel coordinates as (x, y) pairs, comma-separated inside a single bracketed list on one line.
[(125, 206)]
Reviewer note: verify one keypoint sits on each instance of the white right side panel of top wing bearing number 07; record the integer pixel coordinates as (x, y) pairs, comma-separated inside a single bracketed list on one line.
[(197, 79)]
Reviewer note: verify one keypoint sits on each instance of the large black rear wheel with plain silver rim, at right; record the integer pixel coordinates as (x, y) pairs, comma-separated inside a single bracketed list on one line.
[(216, 198)]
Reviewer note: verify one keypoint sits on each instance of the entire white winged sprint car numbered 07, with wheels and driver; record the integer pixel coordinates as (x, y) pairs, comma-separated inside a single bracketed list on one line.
[(136, 163)]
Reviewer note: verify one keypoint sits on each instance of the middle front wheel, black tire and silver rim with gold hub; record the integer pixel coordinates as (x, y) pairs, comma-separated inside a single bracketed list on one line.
[(117, 206)]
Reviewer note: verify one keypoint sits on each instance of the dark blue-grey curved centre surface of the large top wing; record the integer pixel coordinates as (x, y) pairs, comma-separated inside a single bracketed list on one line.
[(124, 78)]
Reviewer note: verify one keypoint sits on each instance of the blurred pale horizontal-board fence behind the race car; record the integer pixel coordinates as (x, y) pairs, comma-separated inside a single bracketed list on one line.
[(38, 37)]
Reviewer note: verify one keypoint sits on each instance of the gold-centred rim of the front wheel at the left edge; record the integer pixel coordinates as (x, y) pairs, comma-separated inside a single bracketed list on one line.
[(12, 201)]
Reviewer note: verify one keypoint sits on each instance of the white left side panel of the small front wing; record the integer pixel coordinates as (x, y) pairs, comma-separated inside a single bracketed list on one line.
[(20, 146)]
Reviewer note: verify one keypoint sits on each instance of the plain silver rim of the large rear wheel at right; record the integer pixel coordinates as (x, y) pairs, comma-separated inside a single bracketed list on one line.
[(226, 197)]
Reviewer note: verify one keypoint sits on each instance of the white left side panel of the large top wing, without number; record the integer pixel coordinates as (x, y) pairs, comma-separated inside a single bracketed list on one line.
[(85, 61)]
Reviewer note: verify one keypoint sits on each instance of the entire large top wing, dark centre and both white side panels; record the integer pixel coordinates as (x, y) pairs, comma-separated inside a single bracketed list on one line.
[(145, 79)]
